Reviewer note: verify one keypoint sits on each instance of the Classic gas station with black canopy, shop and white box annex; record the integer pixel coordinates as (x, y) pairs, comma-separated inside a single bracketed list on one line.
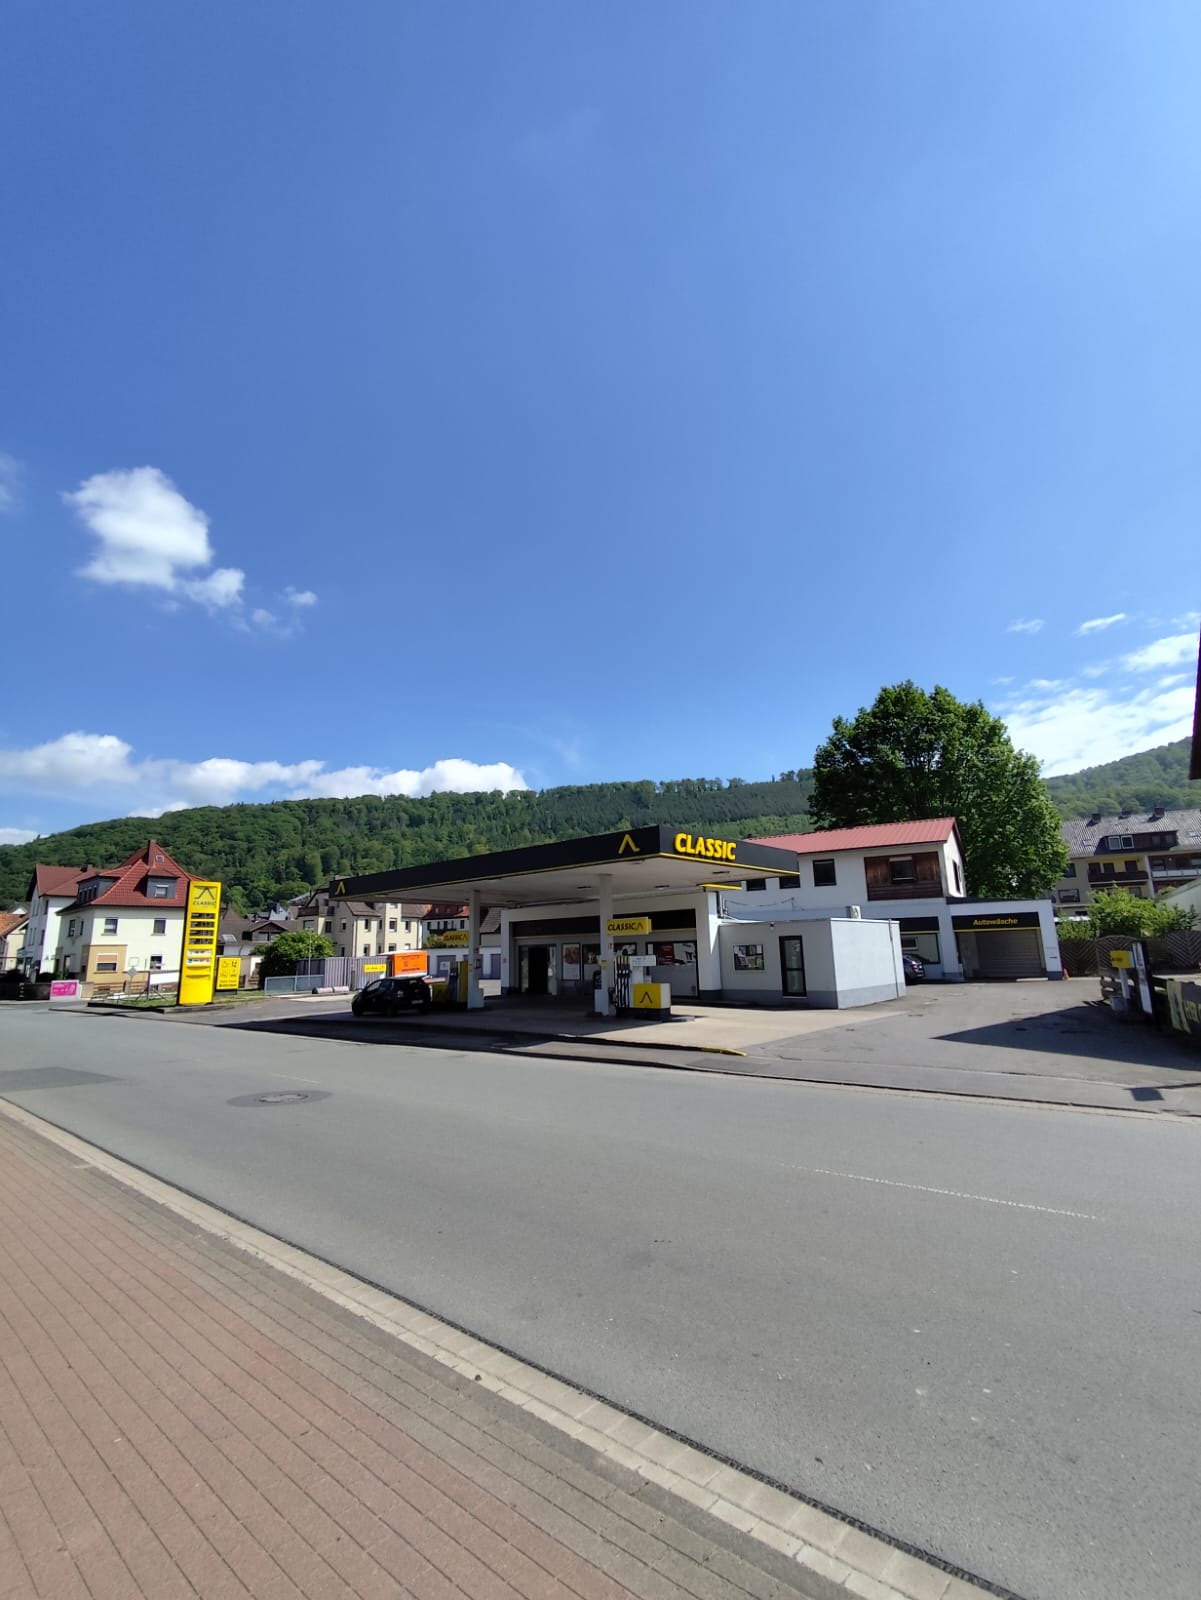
[(589, 918)]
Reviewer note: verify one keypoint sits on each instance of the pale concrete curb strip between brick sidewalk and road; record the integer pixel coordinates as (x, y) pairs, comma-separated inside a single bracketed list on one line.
[(839, 1559)]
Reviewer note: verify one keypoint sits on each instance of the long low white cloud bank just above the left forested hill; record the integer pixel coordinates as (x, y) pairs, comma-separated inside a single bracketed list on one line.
[(151, 786)]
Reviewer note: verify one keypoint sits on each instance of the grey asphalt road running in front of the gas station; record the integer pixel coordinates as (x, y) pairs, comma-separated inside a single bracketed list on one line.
[(976, 1327)]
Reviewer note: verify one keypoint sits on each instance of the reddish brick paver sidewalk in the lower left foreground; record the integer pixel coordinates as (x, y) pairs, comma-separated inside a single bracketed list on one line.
[(178, 1420)]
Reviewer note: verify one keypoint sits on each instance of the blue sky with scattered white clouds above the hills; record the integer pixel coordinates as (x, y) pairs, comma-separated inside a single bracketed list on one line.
[(473, 396)]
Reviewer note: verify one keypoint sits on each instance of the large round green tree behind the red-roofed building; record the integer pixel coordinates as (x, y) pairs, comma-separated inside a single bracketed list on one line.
[(914, 756)]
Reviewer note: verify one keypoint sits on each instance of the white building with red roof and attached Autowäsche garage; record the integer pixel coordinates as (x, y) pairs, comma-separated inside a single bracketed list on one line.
[(911, 874)]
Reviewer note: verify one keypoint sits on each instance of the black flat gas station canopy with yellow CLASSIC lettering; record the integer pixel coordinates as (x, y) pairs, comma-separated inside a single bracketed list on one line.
[(640, 862)]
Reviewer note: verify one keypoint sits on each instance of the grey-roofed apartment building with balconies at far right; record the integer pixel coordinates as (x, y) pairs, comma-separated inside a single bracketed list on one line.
[(1143, 852)]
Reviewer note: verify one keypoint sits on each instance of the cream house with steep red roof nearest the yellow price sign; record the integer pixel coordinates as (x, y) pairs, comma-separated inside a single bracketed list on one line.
[(126, 919)]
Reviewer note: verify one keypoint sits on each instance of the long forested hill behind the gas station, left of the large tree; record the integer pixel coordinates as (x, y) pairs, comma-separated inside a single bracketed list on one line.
[(273, 852)]
